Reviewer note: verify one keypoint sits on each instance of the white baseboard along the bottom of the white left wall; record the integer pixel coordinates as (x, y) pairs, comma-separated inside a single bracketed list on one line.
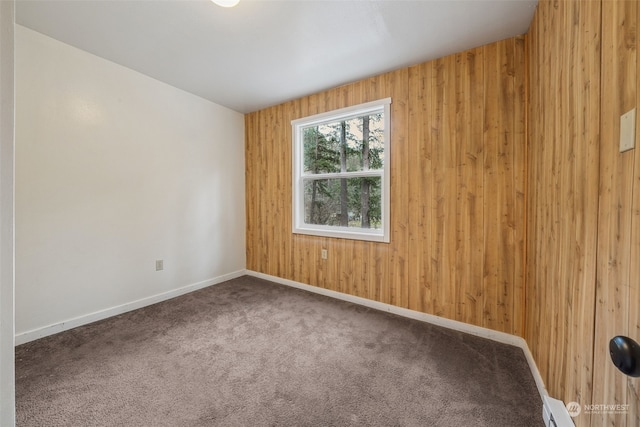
[(34, 334)]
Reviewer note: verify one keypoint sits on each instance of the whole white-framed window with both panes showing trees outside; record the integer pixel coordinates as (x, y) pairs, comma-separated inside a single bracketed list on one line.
[(341, 173)]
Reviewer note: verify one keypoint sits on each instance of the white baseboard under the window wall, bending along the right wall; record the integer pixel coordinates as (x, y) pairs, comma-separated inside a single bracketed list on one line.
[(479, 331)]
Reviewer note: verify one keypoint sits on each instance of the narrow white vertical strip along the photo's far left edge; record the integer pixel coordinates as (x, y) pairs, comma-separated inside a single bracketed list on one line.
[(7, 387)]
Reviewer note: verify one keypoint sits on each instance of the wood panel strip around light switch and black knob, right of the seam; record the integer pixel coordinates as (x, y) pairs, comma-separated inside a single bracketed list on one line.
[(618, 268)]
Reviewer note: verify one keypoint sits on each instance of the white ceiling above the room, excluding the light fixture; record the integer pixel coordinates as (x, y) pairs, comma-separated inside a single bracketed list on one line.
[(264, 52)]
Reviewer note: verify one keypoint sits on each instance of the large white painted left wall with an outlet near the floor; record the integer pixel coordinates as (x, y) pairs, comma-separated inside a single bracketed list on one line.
[(115, 170)]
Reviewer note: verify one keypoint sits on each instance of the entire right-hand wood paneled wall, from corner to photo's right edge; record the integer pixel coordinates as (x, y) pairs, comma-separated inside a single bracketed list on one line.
[(583, 274)]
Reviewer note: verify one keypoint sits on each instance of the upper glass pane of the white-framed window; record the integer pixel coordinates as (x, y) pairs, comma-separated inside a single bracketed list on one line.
[(350, 145)]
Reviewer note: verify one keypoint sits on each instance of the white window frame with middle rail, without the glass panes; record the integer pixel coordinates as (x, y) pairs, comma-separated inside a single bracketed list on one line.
[(298, 125)]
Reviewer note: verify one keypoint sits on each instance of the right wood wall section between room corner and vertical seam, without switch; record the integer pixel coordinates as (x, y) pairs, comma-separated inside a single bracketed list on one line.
[(564, 131)]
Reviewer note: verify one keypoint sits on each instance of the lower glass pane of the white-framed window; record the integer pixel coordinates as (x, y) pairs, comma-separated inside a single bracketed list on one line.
[(345, 202)]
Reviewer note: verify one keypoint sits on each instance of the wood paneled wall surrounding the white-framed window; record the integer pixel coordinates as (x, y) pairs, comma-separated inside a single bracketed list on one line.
[(458, 155)]
